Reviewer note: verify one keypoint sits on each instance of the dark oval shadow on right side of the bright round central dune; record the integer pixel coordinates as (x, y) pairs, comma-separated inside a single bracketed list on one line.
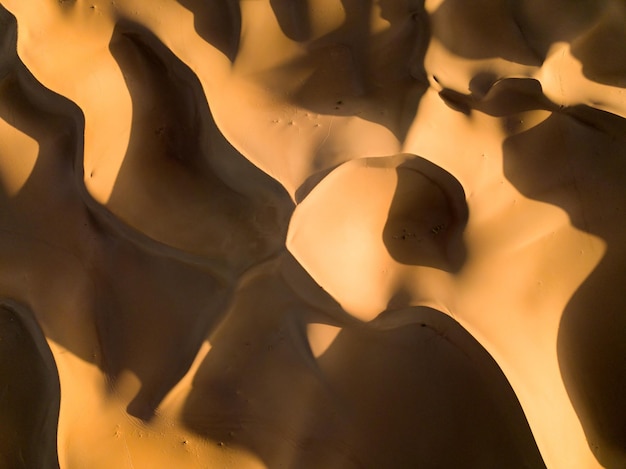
[(427, 217)]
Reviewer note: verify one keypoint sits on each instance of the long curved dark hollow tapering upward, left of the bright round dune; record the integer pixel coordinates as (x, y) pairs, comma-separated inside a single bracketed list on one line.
[(181, 183)]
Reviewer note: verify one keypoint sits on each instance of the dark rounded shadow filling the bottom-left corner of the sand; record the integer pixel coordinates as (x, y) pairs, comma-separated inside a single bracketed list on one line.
[(29, 392)]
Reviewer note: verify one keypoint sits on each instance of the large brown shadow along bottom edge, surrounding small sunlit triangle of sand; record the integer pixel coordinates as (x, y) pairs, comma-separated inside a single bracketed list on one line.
[(411, 389)]
